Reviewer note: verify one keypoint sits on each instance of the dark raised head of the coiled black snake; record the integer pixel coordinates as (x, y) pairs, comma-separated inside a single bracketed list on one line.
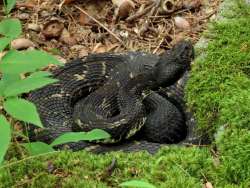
[(173, 63)]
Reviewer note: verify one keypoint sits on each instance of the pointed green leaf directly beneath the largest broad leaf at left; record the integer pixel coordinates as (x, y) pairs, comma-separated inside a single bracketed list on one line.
[(32, 82)]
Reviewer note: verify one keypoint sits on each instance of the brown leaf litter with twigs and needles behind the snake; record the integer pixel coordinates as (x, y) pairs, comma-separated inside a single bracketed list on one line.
[(75, 28)]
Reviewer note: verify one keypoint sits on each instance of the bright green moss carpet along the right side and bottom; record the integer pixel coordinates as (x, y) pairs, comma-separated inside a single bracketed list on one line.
[(218, 92)]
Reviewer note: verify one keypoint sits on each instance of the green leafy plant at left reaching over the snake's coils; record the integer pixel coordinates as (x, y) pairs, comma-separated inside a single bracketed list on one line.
[(20, 74)]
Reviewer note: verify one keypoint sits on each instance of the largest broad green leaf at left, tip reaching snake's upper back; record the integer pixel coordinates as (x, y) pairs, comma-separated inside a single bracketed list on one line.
[(16, 62)]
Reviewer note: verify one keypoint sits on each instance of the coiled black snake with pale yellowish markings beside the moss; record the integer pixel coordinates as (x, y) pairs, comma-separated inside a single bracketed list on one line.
[(120, 94)]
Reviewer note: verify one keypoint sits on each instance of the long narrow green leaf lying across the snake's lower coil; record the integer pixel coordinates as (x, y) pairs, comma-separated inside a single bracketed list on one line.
[(95, 134)]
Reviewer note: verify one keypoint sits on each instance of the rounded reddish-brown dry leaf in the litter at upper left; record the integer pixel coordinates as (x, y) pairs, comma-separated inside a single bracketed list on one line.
[(53, 29)]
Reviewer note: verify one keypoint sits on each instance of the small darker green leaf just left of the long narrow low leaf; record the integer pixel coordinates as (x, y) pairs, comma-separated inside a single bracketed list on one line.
[(36, 148)]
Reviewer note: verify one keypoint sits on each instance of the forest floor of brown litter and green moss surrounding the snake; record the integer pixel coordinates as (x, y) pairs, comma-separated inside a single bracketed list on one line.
[(217, 92)]
